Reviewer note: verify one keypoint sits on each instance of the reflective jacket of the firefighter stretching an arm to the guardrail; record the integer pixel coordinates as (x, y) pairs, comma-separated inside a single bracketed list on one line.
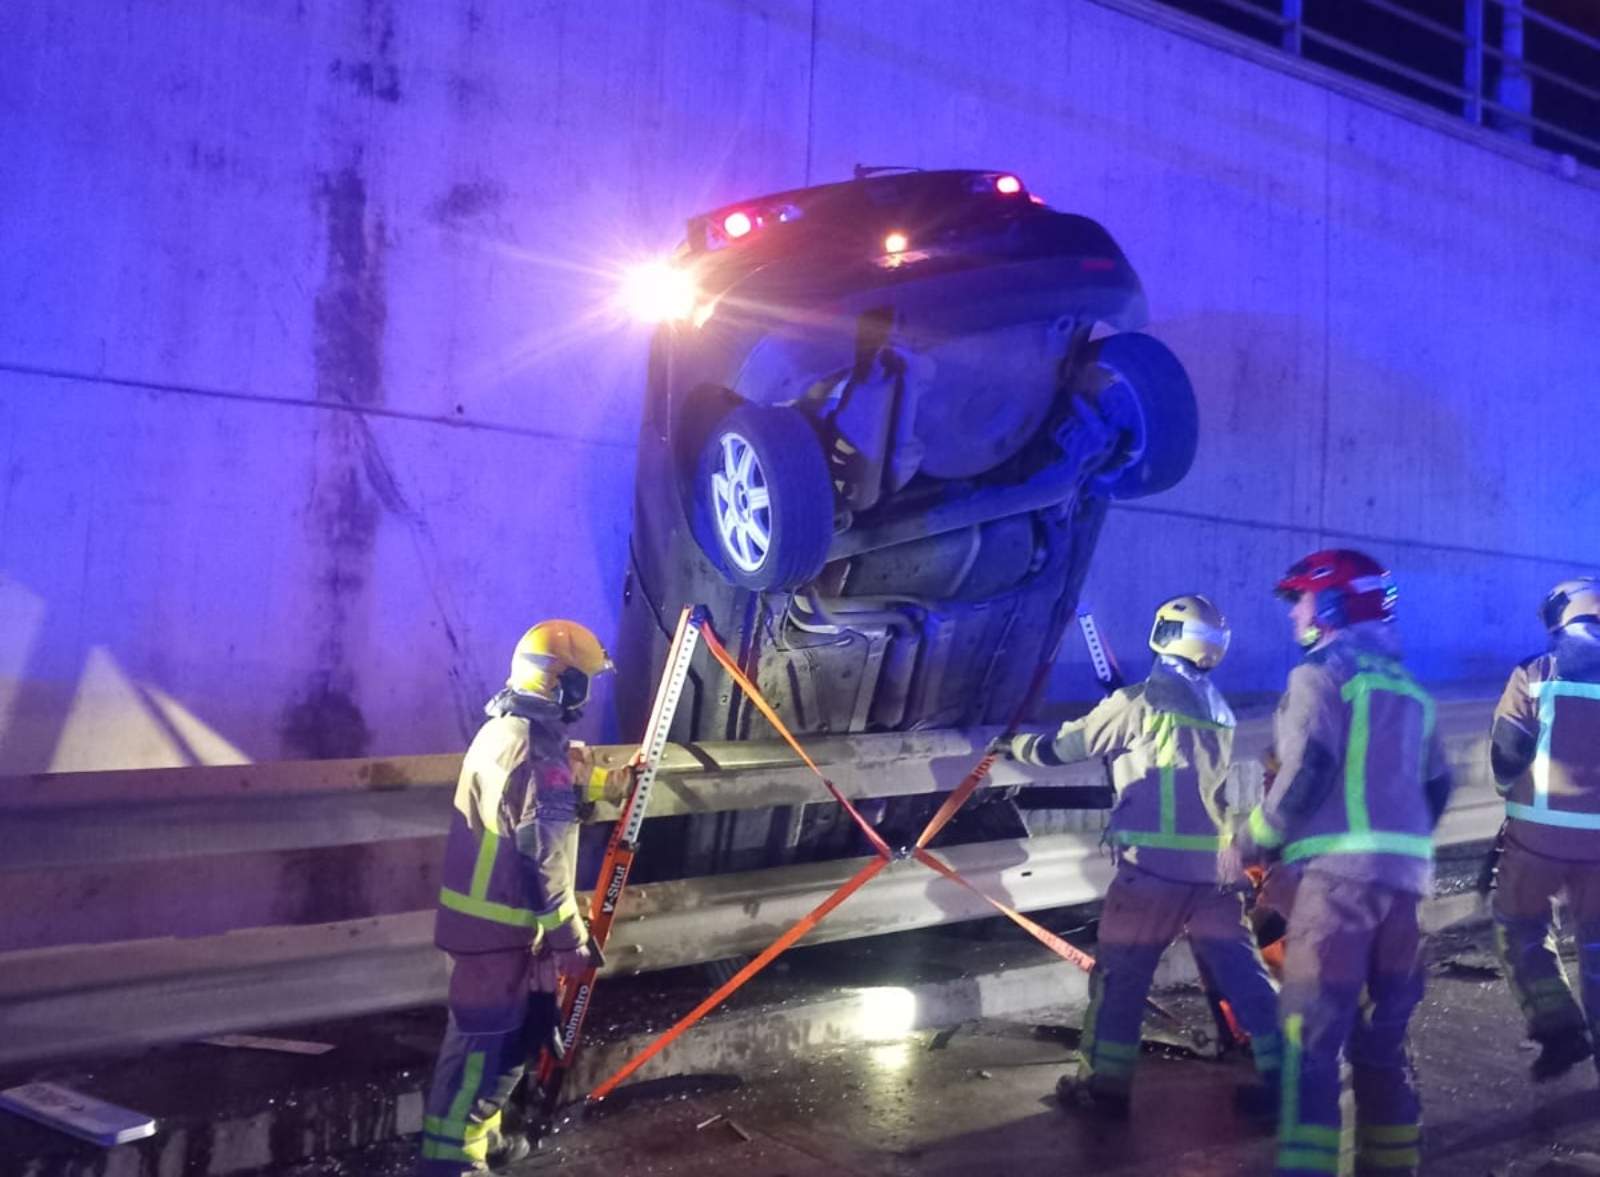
[(1169, 741)]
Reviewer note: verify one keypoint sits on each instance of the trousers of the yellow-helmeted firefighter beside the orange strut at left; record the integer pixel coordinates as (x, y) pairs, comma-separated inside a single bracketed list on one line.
[(481, 1061)]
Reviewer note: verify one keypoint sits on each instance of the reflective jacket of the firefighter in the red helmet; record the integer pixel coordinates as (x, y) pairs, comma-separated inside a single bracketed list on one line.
[(1362, 776)]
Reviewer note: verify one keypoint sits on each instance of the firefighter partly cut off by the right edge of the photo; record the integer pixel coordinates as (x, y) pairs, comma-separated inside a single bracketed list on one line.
[(1545, 752)]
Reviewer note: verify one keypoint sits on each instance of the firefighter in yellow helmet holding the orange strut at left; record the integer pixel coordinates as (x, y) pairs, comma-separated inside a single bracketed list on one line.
[(508, 906)]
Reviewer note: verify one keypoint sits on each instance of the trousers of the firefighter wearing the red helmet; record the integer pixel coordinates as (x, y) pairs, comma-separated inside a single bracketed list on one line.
[(1353, 975)]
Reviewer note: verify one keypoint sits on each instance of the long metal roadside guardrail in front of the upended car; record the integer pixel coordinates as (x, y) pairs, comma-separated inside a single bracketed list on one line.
[(271, 895)]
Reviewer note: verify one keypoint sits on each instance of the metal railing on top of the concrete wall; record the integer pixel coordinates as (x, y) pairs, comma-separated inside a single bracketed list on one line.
[(1506, 103)]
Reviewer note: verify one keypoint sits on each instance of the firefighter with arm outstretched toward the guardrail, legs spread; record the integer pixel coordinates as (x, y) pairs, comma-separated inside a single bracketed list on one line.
[(1169, 741)]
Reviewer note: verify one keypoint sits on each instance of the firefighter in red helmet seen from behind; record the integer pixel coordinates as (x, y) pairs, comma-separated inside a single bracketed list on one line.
[(1361, 784)]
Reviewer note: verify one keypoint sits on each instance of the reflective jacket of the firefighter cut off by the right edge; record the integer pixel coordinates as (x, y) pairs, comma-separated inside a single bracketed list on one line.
[(1546, 751)]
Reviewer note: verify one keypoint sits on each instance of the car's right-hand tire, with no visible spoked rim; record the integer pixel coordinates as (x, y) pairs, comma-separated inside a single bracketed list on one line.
[(1143, 391)]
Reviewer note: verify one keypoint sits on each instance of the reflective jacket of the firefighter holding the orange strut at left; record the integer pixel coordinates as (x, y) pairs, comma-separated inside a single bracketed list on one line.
[(511, 855)]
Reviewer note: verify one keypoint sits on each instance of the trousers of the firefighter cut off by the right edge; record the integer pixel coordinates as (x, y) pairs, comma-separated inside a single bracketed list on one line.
[(1526, 893)]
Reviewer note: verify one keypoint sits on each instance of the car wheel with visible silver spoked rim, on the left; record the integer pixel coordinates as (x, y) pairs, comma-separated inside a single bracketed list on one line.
[(767, 498)]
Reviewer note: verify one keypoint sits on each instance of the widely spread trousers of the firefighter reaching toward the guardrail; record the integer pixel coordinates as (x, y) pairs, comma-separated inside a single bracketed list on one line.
[(1142, 917)]
